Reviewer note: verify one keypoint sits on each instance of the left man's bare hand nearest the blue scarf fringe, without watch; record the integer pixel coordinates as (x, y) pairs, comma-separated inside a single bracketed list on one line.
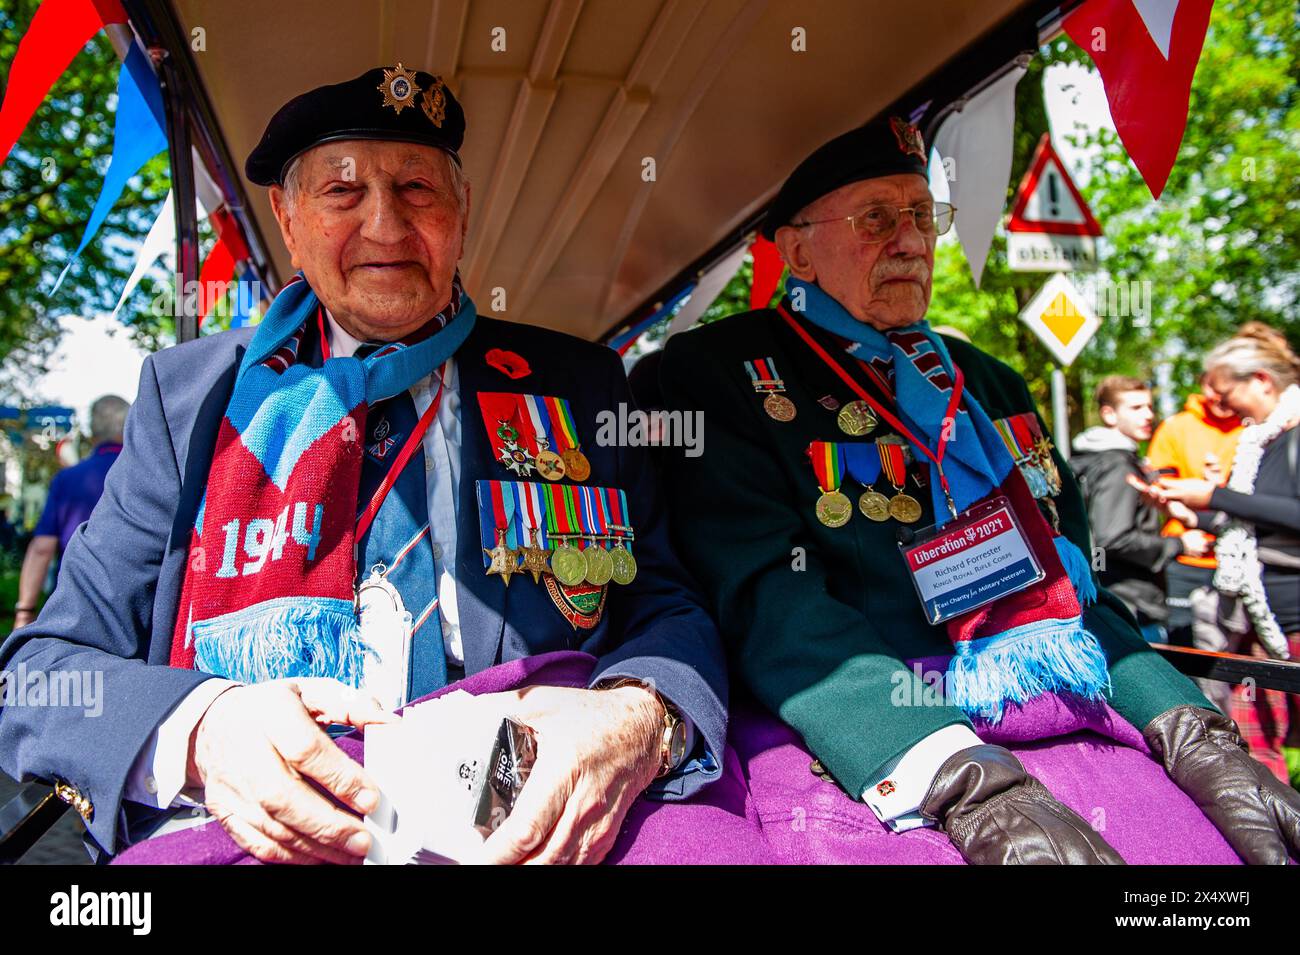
[(255, 752)]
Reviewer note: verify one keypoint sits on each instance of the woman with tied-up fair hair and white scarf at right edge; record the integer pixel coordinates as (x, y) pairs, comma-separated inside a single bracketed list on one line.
[(1258, 520)]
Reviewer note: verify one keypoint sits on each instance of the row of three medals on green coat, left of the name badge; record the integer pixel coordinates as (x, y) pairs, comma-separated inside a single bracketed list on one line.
[(865, 465)]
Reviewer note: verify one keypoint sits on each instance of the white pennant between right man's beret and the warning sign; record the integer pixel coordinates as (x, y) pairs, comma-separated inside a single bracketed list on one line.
[(977, 145)]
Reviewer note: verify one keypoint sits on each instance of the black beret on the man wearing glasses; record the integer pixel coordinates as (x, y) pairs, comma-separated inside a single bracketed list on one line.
[(883, 147)]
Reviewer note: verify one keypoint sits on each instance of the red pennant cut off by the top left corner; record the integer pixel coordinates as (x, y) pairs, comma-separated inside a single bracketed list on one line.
[(58, 33)]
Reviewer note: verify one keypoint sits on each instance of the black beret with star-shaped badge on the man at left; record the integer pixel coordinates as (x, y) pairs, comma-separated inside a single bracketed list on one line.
[(385, 103)]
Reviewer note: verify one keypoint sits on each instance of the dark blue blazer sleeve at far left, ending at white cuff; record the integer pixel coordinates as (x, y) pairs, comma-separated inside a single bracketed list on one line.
[(93, 637)]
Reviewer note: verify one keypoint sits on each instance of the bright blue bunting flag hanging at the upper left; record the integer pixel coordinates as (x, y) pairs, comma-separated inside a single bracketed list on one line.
[(138, 136)]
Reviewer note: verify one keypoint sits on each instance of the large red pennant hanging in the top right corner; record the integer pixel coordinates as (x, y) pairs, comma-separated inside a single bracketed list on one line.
[(1147, 54)]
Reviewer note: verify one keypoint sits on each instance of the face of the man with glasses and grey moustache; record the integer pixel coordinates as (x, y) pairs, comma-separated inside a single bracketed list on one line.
[(886, 285)]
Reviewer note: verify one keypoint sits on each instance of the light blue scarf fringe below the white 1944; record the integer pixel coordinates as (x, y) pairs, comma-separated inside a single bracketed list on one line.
[(292, 637)]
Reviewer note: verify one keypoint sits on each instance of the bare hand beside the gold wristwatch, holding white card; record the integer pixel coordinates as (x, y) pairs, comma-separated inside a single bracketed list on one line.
[(597, 750)]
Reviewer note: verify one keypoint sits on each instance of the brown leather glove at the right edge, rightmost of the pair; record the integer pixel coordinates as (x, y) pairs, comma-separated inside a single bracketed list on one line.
[(1203, 753)]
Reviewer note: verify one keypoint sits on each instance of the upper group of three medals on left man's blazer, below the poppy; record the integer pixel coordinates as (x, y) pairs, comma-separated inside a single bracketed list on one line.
[(534, 433)]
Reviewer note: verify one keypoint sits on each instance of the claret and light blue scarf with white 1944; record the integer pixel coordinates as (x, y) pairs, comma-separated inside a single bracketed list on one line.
[(270, 583)]
